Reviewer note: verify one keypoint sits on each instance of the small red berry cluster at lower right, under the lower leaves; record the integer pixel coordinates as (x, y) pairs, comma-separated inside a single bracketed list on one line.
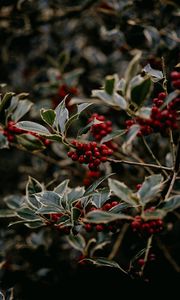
[(146, 227)]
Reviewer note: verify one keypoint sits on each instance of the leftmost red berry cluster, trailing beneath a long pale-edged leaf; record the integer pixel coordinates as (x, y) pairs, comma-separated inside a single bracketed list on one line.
[(11, 131)]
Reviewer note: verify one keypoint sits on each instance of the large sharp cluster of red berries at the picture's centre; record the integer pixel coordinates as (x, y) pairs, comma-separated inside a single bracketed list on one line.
[(90, 153)]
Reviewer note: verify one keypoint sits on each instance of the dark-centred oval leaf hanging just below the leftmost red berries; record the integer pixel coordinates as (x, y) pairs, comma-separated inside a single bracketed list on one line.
[(30, 142)]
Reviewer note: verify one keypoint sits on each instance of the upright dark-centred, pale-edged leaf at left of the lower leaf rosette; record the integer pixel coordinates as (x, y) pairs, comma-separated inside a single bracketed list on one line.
[(32, 187)]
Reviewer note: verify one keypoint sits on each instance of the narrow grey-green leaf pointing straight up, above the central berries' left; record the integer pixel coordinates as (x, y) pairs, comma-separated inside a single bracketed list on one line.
[(62, 115)]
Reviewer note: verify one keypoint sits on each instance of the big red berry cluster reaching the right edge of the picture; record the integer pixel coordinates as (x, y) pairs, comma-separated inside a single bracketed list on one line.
[(160, 119)]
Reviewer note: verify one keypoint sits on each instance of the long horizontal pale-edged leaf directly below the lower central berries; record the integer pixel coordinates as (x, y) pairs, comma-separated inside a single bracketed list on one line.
[(99, 217)]
